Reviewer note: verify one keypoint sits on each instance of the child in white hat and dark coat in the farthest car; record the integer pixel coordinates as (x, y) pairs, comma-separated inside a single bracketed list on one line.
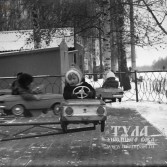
[(110, 80)]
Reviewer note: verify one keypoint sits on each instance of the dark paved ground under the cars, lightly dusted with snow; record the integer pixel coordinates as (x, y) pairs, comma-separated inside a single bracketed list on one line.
[(128, 140)]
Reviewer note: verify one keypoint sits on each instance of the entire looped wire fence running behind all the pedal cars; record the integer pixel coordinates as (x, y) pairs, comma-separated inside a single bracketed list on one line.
[(145, 85)]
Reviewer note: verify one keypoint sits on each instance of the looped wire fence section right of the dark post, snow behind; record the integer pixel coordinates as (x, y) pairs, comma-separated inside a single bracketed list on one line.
[(151, 86)]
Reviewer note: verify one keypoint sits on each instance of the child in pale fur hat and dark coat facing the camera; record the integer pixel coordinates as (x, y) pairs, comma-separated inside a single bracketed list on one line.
[(74, 78)]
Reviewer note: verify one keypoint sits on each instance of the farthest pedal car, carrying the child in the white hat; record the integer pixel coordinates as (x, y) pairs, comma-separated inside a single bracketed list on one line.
[(110, 94)]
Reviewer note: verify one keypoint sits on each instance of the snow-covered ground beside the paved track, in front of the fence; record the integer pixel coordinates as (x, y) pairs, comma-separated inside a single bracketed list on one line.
[(154, 113)]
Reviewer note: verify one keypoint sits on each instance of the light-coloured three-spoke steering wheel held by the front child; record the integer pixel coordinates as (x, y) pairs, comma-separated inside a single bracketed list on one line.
[(81, 91)]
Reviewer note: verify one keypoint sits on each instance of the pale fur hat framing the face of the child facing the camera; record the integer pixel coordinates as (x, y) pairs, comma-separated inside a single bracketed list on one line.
[(74, 69)]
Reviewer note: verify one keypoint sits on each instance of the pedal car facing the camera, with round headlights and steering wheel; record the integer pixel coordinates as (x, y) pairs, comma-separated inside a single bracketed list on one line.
[(84, 111)]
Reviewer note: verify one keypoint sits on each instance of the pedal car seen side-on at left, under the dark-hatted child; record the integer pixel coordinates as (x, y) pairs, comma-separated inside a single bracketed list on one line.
[(15, 104)]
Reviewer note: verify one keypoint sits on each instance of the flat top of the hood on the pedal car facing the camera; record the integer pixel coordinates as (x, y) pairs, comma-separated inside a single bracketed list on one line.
[(76, 102)]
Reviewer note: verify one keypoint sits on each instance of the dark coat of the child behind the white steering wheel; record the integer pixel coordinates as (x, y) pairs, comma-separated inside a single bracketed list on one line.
[(68, 91)]
